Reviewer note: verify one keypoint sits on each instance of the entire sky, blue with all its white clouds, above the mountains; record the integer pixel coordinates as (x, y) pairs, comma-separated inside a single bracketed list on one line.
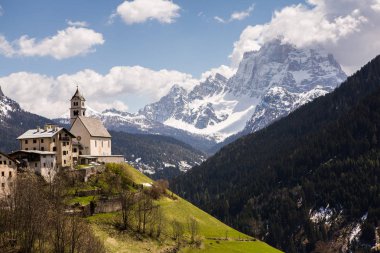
[(125, 54)]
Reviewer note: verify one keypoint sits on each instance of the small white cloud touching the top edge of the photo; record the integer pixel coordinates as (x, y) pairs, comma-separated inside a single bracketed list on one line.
[(140, 11)]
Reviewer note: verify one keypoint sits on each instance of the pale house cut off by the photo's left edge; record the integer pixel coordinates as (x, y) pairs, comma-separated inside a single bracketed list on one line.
[(8, 174)]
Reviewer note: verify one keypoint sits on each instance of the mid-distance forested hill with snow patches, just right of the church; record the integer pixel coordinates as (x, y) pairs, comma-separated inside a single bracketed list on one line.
[(157, 155)]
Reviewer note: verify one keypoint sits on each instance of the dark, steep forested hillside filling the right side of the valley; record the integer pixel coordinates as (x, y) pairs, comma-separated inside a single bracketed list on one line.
[(307, 181)]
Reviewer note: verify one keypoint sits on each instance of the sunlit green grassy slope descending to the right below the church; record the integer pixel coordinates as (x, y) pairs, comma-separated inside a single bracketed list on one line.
[(179, 209)]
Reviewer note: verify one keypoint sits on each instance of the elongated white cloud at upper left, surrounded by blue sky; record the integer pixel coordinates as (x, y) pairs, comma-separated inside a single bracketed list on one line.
[(72, 41)]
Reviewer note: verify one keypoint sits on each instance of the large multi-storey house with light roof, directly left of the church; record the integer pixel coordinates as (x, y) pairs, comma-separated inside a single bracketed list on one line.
[(51, 138)]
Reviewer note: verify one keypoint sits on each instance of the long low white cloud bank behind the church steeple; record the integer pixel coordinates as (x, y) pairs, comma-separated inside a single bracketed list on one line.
[(101, 91)]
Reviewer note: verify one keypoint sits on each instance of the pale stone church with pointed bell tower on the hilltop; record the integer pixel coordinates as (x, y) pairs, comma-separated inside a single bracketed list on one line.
[(93, 141)]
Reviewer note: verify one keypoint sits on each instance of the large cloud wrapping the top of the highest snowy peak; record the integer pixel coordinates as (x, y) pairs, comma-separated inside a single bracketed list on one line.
[(347, 28)]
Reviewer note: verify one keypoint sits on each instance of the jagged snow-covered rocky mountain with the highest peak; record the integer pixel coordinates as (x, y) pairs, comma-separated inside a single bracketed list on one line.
[(268, 84)]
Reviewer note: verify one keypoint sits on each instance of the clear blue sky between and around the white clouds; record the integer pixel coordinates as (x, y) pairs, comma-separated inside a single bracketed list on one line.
[(194, 43)]
